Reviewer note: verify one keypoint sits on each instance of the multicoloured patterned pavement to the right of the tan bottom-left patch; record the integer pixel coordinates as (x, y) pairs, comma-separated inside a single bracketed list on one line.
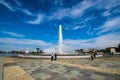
[(41, 69)]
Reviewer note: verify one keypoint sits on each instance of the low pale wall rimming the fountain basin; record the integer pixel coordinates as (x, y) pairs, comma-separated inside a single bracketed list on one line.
[(31, 56)]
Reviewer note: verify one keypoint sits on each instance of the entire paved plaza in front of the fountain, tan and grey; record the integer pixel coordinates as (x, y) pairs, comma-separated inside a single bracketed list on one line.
[(105, 68)]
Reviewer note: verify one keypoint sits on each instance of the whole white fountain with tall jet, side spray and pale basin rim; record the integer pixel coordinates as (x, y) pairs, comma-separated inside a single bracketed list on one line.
[(58, 50)]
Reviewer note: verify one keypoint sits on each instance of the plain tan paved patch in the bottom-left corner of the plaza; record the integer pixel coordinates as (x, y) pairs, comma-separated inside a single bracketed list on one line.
[(13, 72)]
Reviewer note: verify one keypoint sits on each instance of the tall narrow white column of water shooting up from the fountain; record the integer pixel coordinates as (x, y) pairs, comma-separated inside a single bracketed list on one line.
[(60, 40)]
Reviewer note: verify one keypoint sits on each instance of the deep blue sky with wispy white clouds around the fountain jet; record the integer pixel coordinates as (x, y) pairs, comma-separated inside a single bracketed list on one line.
[(34, 23)]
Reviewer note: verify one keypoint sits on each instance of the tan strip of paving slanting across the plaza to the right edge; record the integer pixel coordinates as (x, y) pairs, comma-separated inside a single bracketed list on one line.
[(88, 67)]
